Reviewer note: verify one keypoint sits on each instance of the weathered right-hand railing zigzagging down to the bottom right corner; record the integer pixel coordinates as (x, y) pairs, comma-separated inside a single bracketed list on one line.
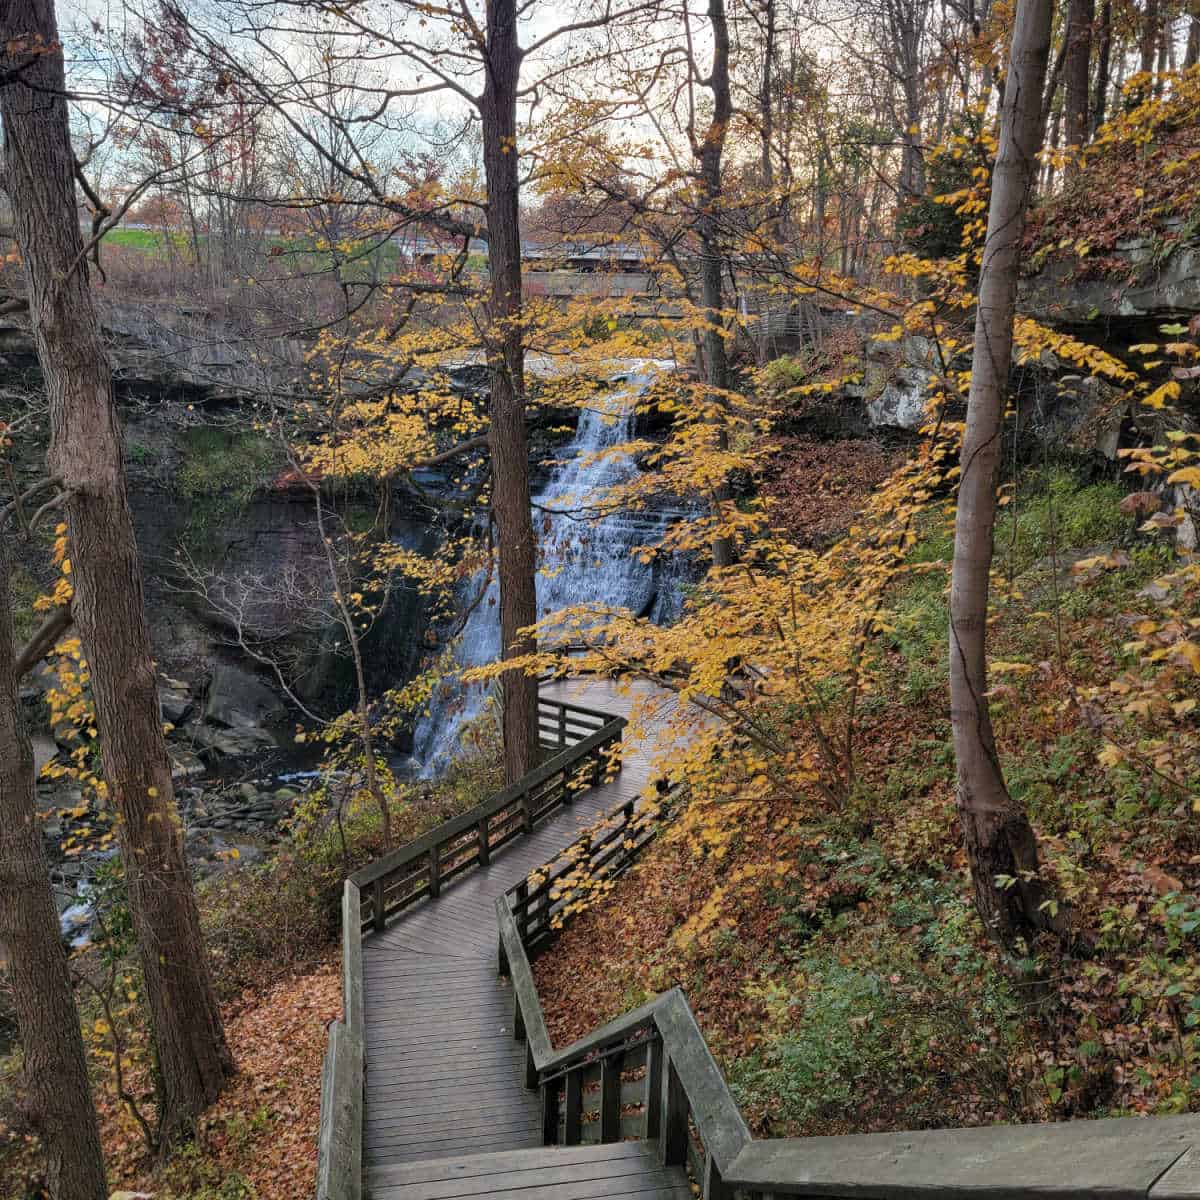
[(650, 1075)]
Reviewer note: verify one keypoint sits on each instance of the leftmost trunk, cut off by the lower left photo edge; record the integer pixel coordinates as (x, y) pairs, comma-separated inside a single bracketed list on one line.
[(56, 1071)]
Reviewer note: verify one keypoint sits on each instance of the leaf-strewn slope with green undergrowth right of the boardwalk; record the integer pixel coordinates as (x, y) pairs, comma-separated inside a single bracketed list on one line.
[(832, 952)]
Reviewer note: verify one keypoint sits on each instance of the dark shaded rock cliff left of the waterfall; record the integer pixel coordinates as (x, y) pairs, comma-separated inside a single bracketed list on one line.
[(229, 551)]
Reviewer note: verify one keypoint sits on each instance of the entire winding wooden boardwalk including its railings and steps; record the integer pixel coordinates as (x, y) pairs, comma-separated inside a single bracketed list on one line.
[(441, 1081)]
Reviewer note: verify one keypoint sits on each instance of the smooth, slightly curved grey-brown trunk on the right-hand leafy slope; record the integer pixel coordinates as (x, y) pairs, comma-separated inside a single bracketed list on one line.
[(1000, 841)]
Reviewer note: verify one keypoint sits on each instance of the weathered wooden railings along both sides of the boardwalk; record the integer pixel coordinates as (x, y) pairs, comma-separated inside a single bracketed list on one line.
[(650, 1075)]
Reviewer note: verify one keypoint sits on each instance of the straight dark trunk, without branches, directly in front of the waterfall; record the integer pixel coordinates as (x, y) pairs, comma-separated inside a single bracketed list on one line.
[(507, 439)]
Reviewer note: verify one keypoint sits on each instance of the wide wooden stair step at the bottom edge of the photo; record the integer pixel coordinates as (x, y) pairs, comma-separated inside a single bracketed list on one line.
[(556, 1173)]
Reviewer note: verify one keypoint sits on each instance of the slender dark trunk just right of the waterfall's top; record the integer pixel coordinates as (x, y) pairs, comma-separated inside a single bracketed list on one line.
[(717, 363)]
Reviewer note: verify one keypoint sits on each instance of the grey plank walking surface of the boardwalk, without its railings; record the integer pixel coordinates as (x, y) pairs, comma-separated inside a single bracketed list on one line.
[(445, 1075)]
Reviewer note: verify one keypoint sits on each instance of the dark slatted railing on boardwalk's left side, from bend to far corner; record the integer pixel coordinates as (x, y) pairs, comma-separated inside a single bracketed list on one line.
[(584, 743)]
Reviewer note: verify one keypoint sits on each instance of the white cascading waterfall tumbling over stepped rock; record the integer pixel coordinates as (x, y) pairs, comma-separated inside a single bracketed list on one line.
[(584, 560)]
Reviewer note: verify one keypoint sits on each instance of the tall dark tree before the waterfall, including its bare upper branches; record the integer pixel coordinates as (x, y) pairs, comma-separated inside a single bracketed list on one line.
[(470, 57)]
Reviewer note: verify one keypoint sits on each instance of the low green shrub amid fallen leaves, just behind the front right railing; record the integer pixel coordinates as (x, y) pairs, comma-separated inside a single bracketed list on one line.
[(886, 1031)]
